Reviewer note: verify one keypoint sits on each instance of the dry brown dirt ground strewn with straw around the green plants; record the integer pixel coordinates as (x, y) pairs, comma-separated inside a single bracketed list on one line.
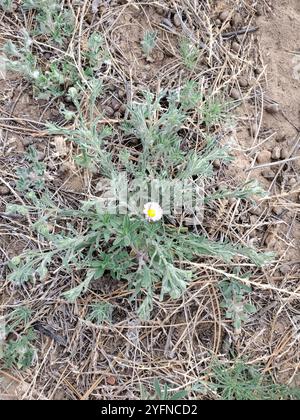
[(262, 75)]
